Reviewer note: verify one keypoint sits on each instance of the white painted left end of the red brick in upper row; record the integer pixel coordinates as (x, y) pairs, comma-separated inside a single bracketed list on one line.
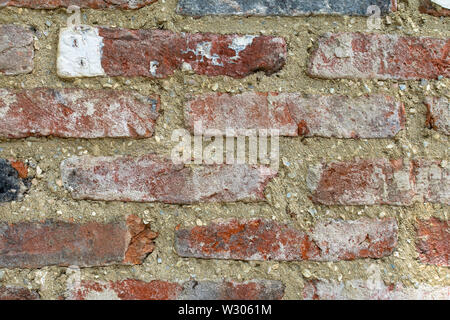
[(80, 52)]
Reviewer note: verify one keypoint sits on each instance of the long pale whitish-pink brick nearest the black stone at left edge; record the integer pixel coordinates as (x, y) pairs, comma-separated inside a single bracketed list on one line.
[(152, 178)]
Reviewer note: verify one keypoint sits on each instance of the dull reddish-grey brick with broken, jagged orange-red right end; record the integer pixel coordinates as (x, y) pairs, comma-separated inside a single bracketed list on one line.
[(48, 243)]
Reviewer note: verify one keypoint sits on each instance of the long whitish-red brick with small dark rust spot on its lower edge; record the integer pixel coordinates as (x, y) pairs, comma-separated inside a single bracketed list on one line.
[(293, 114)]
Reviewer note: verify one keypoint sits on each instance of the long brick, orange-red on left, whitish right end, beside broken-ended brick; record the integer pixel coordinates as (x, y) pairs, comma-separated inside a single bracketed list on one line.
[(258, 239)]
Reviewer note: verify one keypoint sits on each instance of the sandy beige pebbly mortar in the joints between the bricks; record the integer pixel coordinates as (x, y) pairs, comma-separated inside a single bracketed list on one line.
[(48, 199)]
